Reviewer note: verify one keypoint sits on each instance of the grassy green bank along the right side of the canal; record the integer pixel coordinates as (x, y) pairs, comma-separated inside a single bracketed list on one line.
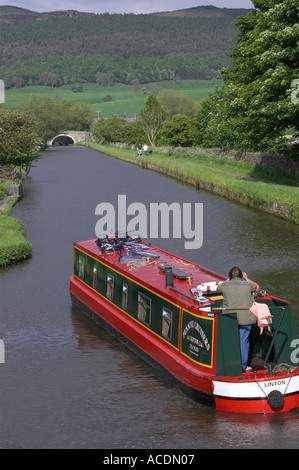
[(236, 184)]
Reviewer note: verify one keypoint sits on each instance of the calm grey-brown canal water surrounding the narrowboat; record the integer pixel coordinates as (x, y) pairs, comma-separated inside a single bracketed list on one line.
[(68, 384)]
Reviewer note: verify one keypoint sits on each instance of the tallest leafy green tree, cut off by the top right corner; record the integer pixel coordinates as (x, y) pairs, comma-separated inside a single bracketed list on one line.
[(265, 65)]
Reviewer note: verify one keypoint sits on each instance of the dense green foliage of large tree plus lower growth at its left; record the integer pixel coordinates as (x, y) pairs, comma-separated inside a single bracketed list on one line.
[(254, 108)]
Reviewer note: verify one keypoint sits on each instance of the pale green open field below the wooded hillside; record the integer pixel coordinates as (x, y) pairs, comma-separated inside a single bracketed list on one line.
[(126, 101)]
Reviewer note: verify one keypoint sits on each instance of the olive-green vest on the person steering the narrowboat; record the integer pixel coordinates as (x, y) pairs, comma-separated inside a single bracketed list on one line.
[(237, 293)]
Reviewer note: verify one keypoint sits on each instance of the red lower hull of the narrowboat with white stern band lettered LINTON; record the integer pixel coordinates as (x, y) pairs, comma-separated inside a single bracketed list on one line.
[(239, 394)]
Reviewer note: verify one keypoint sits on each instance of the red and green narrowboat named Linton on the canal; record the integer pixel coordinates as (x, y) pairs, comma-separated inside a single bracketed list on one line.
[(168, 310)]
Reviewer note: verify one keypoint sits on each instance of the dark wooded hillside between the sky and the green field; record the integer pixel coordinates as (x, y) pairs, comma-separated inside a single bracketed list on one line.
[(66, 47)]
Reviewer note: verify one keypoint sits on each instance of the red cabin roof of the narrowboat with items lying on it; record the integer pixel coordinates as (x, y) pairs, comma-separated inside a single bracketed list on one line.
[(192, 283)]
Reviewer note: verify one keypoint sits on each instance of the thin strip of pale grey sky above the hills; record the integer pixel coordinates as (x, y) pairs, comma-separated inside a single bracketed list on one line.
[(122, 6)]
